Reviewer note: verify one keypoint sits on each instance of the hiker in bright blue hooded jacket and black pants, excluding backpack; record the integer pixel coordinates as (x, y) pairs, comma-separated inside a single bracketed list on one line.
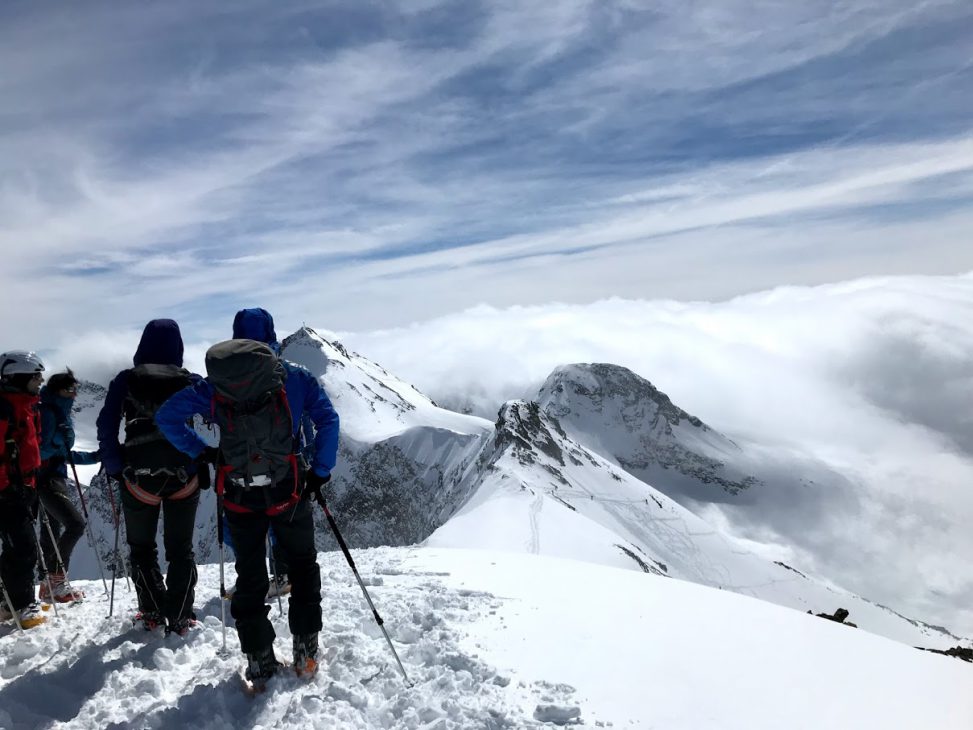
[(294, 528)]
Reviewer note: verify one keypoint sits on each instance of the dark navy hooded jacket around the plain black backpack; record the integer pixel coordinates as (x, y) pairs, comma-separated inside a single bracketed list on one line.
[(161, 344)]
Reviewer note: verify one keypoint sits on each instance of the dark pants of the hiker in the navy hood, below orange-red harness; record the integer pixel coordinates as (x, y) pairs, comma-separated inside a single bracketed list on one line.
[(172, 597)]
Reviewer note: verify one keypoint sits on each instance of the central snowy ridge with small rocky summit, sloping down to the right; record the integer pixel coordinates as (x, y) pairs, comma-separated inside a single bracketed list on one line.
[(539, 491)]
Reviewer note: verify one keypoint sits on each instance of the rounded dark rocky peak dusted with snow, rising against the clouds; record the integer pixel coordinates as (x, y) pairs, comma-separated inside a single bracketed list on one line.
[(619, 414)]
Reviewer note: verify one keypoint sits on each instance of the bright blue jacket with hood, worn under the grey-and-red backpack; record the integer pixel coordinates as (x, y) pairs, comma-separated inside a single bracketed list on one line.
[(310, 406)]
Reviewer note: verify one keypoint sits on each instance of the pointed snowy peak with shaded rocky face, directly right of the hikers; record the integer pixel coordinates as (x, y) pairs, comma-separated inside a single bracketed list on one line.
[(401, 456)]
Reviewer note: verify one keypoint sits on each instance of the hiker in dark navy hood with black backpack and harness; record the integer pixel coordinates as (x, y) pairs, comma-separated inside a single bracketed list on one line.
[(154, 476)]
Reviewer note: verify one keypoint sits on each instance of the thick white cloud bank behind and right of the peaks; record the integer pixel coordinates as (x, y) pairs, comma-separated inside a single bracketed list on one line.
[(863, 387)]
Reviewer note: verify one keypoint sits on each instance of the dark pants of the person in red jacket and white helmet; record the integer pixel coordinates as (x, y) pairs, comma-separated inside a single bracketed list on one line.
[(19, 556)]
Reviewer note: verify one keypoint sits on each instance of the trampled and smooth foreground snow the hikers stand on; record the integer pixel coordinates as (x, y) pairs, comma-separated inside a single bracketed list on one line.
[(491, 640)]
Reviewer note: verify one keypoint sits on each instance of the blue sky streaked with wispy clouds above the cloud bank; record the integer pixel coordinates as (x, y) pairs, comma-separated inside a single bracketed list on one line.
[(369, 164)]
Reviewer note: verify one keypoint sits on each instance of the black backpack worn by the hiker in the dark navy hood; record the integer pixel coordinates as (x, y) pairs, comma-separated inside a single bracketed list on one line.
[(150, 460)]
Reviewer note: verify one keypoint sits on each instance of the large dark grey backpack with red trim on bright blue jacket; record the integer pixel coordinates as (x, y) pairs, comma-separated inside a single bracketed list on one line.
[(257, 445)]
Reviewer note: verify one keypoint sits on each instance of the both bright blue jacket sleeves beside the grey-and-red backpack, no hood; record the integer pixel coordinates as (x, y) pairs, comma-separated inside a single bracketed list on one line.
[(305, 396)]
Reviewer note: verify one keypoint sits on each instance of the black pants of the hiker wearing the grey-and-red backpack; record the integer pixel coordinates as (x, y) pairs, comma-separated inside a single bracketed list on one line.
[(295, 537)]
